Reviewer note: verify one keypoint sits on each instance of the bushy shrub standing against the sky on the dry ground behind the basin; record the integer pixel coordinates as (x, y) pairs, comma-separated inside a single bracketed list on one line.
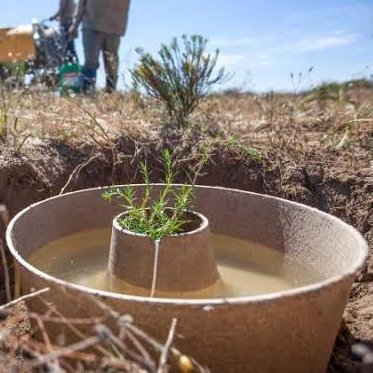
[(182, 74)]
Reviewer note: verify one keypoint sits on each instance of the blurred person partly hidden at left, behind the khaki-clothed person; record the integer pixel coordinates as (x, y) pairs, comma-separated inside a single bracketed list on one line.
[(65, 15)]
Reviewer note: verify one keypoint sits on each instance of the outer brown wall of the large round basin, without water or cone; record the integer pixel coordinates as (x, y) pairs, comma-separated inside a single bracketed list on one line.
[(290, 331)]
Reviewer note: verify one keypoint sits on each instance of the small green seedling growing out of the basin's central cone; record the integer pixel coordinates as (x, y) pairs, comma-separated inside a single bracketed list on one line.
[(157, 218)]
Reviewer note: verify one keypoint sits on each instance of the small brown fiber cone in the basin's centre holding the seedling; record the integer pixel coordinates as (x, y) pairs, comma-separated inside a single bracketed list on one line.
[(182, 262)]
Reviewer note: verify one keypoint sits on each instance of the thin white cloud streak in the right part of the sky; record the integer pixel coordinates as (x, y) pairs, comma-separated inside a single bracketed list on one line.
[(332, 40)]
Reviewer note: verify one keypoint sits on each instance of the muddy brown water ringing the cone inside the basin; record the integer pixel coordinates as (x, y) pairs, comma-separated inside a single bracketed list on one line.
[(246, 268)]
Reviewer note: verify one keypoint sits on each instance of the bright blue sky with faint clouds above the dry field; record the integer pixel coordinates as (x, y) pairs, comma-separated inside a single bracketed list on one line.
[(261, 41)]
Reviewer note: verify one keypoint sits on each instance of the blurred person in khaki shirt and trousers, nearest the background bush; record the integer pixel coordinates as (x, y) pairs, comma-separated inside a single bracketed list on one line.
[(104, 22)]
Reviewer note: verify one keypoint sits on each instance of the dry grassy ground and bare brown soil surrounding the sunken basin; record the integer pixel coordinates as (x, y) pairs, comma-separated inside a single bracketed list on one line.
[(313, 147)]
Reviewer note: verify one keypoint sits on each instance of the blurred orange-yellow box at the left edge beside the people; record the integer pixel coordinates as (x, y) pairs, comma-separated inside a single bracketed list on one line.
[(16, 44)]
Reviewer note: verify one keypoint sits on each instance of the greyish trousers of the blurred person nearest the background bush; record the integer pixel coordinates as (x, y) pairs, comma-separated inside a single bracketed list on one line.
[(94, 42)]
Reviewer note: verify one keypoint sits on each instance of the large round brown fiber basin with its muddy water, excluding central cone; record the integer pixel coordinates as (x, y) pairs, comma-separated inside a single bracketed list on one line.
[(285, 275)]
